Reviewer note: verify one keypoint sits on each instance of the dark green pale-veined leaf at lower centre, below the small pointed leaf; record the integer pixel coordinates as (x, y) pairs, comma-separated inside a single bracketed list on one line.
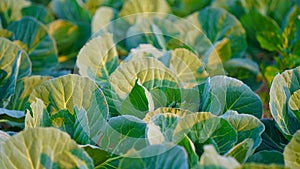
[(122, 134)]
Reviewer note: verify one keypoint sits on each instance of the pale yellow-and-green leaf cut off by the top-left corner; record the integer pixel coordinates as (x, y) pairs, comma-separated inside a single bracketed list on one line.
[(11, 11)]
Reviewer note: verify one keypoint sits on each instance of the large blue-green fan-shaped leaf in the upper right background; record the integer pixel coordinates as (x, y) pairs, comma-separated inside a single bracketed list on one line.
[(221, 24)]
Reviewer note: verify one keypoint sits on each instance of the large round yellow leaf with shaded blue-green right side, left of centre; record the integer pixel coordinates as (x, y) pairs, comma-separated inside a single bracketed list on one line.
[(74, 104)]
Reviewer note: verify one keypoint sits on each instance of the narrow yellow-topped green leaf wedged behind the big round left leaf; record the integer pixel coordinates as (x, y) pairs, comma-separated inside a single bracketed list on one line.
[(24, 87)]
